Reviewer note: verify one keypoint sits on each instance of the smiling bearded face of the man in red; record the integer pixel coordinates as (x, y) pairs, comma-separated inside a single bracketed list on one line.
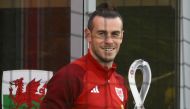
[(105, 38)]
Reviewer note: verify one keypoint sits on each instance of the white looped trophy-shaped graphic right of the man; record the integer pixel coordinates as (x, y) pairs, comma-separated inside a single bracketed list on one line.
[(139, 98)]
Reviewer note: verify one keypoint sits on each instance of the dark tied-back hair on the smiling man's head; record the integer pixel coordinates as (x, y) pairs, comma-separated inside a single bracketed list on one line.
[(104, 10)]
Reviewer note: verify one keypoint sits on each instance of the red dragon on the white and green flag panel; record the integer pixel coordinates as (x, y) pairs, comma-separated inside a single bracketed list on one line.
[(31, 93)]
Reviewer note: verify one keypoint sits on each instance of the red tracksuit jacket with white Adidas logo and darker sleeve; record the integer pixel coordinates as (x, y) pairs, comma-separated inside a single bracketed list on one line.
[(85, 84)]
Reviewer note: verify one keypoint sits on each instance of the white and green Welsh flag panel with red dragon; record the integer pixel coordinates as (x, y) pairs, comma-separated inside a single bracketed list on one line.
[(24, 89)]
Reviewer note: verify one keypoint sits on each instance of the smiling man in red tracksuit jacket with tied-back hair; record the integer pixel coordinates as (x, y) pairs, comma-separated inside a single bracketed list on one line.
[(91, 82)]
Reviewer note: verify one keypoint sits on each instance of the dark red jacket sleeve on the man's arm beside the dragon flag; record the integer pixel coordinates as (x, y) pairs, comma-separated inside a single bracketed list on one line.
[(63, 89)]
